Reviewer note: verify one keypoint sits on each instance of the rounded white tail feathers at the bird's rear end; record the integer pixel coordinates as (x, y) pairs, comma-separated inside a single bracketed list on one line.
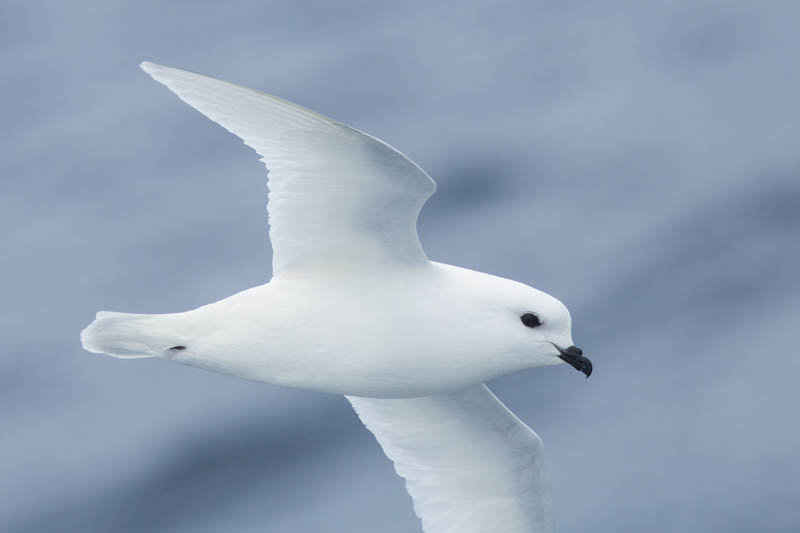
[(129, 335)]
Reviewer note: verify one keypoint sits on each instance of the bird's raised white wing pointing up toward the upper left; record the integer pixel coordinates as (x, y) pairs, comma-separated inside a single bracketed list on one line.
[(336, 195)]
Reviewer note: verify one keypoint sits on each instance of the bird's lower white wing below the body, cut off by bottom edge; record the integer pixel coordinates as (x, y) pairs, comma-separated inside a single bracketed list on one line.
[(470, 465)]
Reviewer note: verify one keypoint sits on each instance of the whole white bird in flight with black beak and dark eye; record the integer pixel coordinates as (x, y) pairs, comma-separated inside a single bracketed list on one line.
[(355, 307)]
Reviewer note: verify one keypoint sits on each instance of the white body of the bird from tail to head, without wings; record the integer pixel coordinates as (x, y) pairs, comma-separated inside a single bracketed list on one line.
[(406, 332)]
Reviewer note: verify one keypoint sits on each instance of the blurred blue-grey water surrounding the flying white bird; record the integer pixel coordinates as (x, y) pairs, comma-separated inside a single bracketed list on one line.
[(638, 160)]
